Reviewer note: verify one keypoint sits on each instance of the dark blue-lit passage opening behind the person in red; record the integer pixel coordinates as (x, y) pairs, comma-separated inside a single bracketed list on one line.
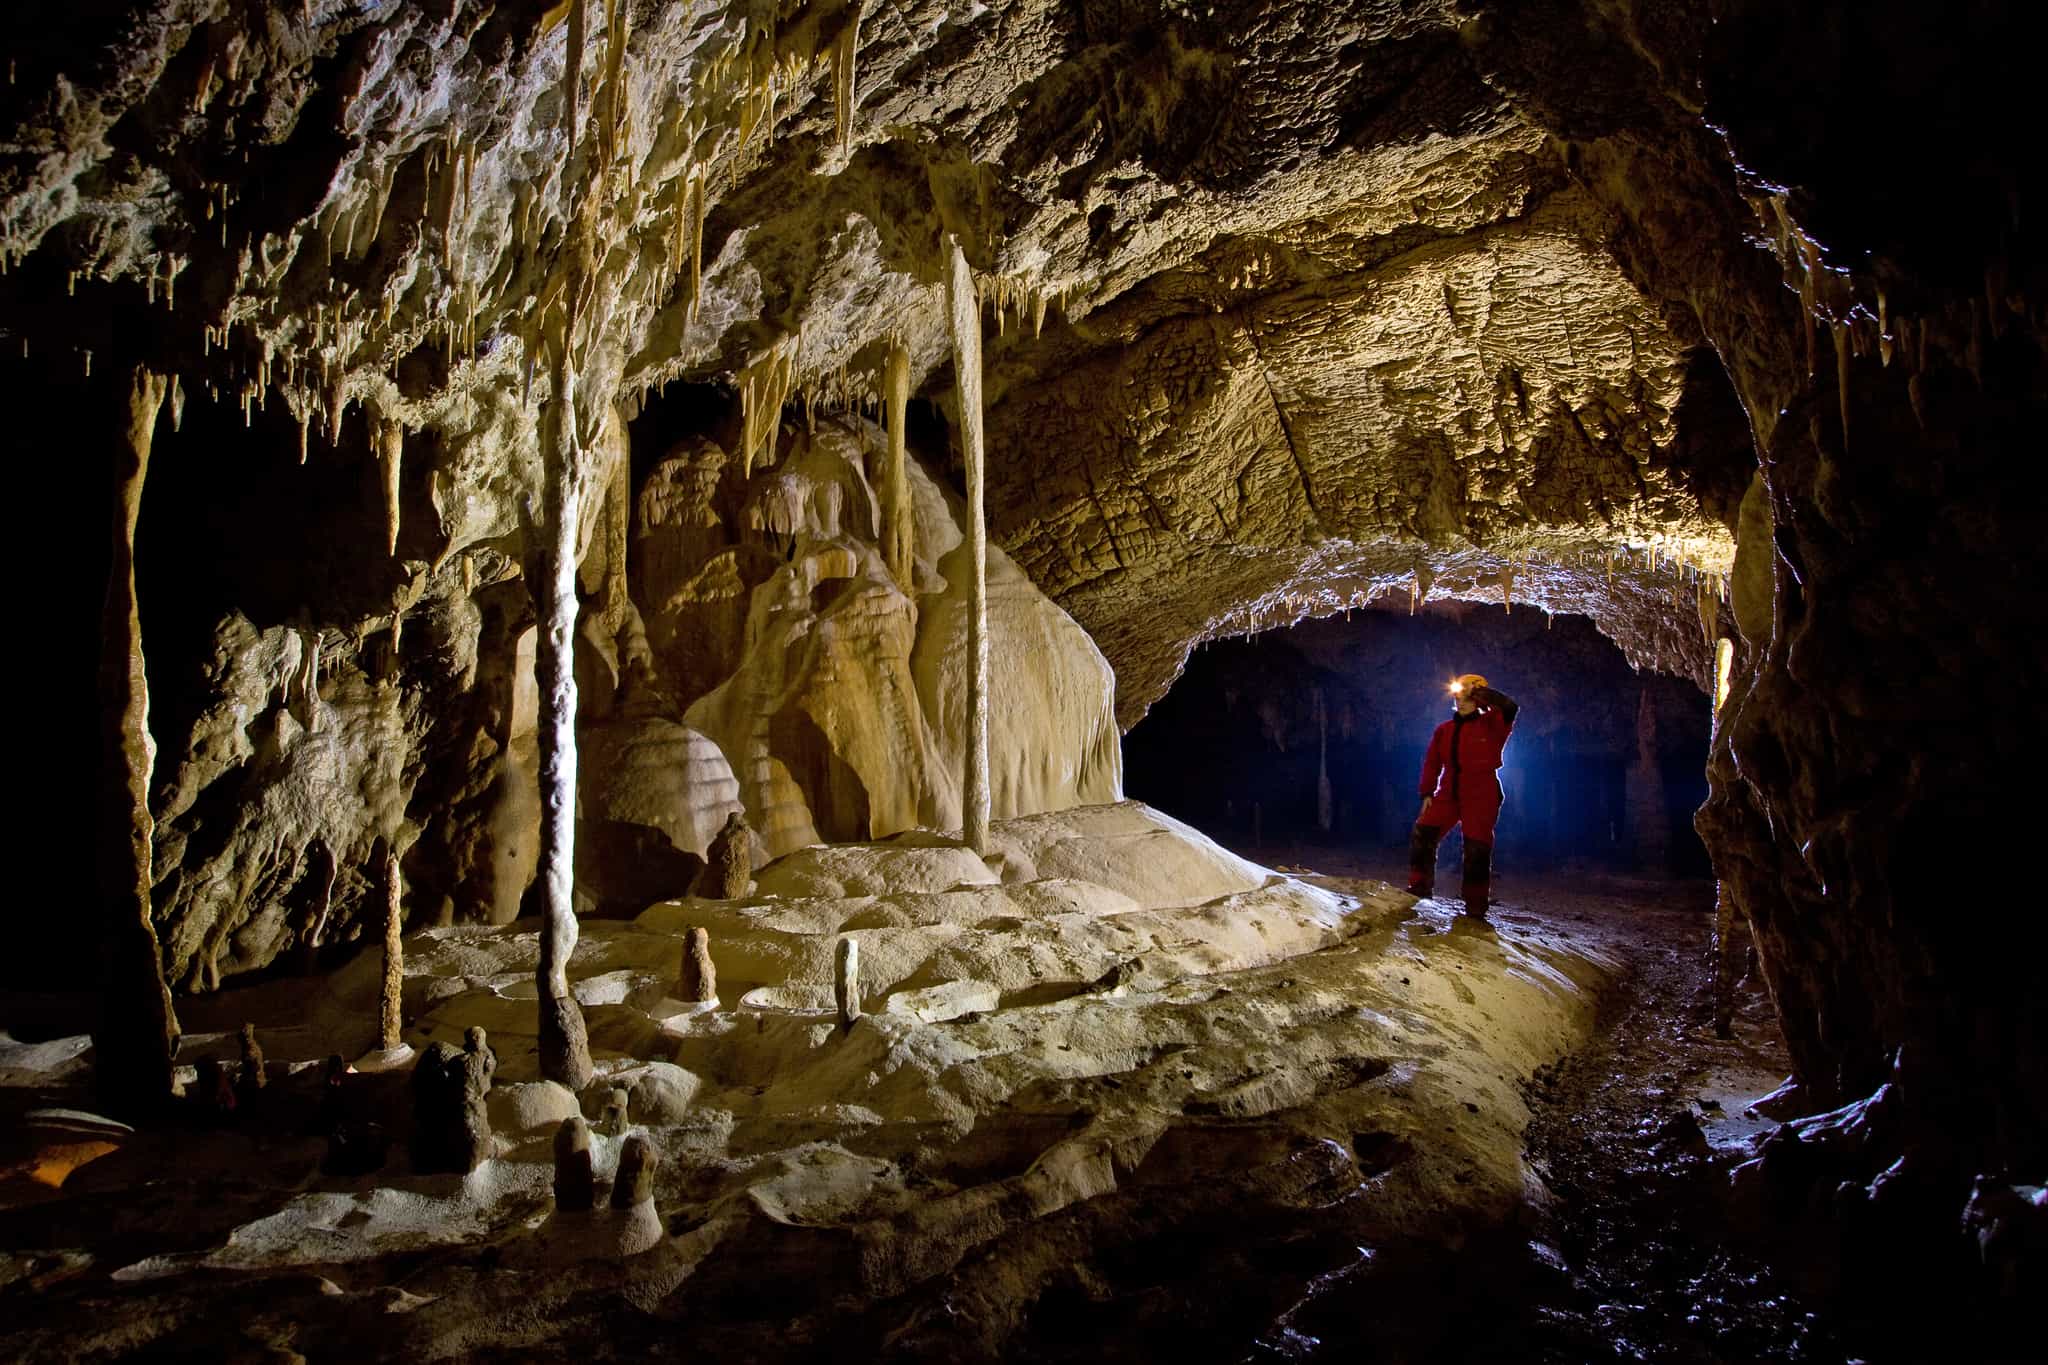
[(1316, 738)]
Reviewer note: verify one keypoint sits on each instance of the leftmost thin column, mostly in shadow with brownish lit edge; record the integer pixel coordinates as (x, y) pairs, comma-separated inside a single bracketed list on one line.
[(138, 1028)]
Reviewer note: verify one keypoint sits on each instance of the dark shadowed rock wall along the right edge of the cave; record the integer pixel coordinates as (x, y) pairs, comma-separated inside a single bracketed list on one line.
[(1871, 281)]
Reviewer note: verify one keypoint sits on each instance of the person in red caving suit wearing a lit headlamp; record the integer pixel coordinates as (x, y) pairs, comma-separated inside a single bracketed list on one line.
[(1461, 785)]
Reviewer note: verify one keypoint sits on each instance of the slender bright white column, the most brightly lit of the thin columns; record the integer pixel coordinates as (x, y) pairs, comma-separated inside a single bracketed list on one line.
[(564, 1041)]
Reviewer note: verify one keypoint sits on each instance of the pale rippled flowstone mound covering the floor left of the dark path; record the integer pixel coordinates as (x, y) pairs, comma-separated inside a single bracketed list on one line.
[(1072, 1057)]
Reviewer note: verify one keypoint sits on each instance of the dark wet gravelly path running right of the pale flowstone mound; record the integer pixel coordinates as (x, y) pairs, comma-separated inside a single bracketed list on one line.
[(1631, 1256)]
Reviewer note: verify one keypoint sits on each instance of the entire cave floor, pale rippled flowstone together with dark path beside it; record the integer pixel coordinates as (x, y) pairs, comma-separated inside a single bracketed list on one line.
[(1306, 1120)]
